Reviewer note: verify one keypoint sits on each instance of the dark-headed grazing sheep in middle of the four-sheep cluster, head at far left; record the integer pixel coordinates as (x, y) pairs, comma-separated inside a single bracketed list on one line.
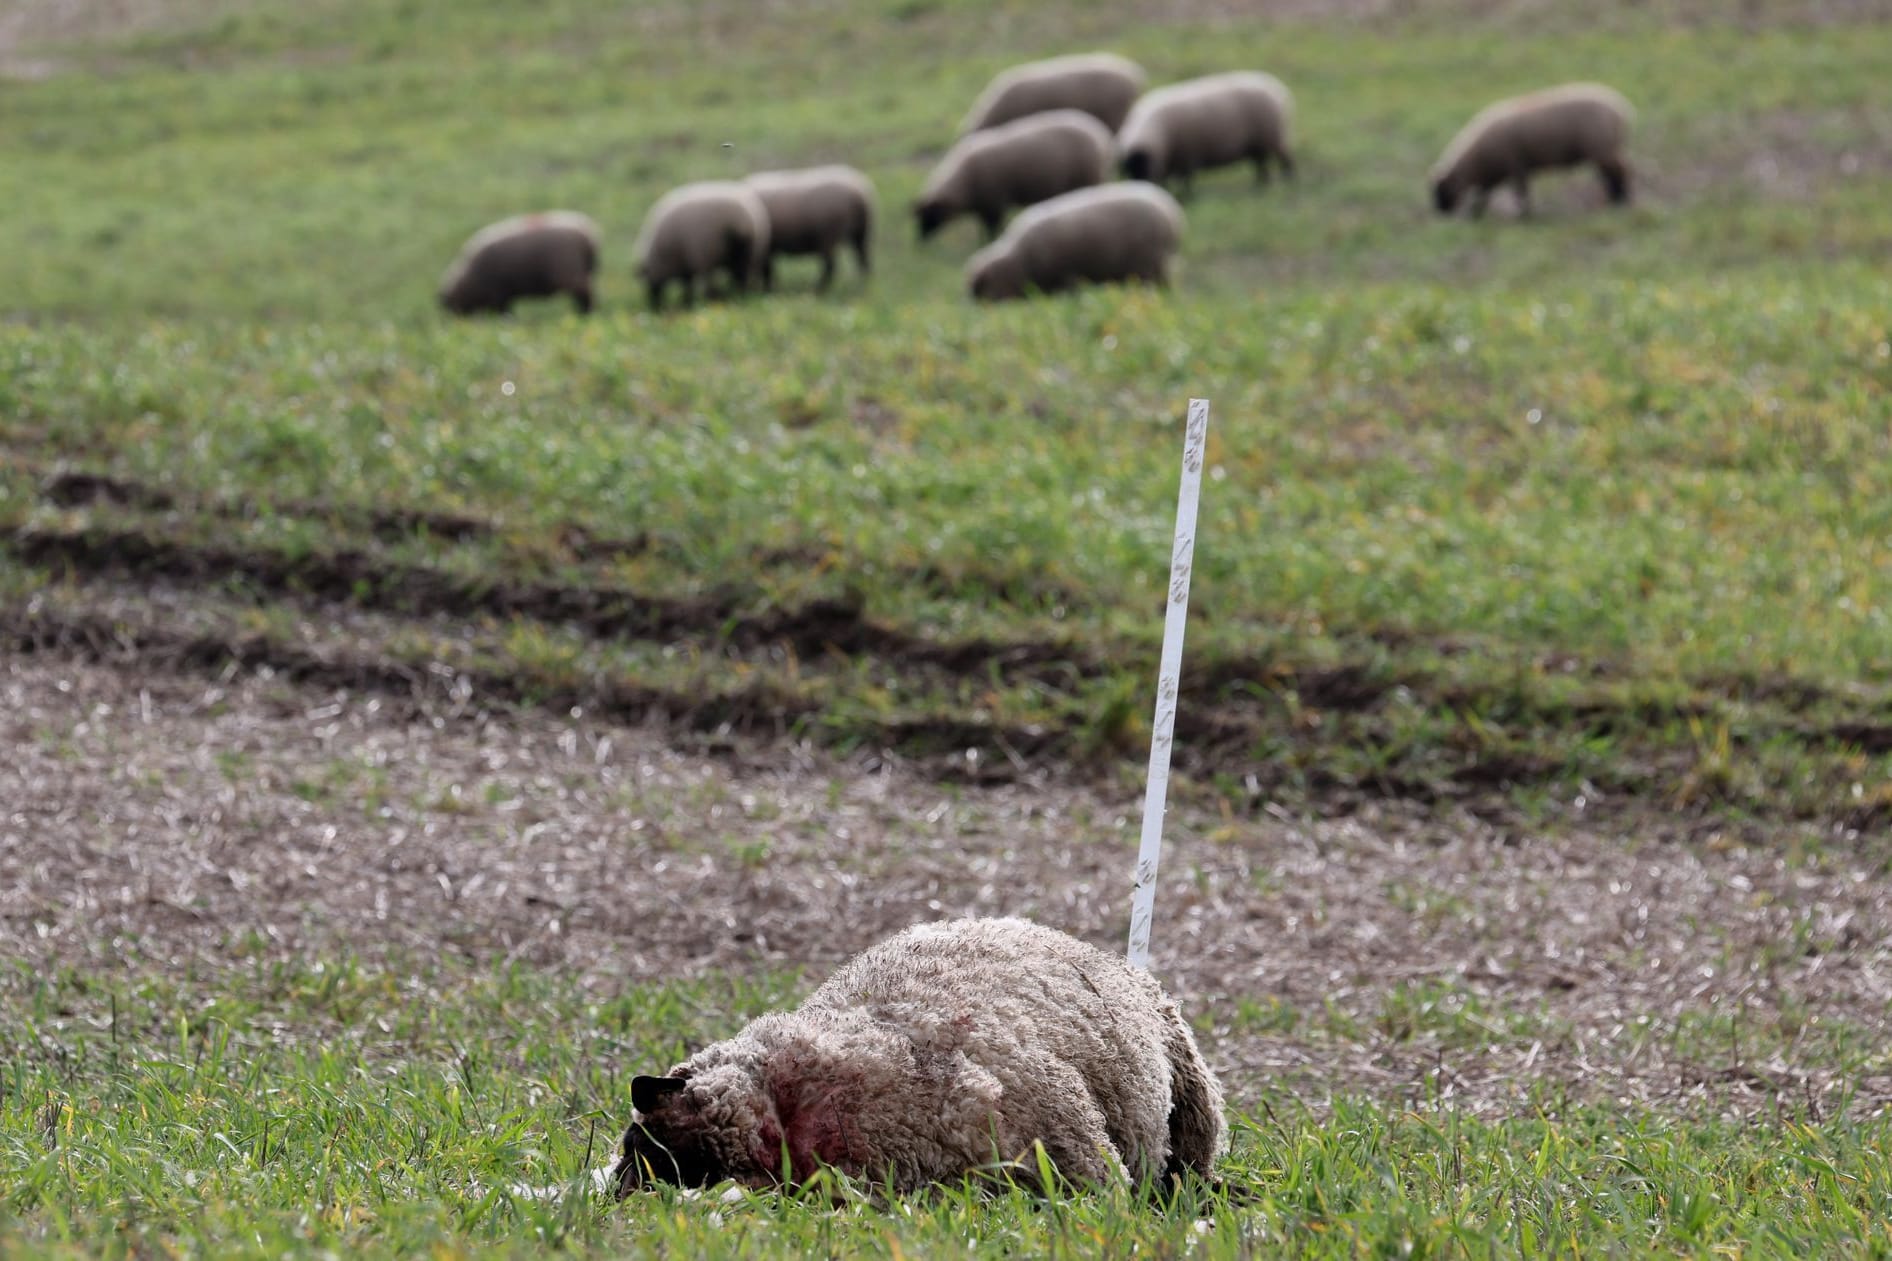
[(1015, 166)]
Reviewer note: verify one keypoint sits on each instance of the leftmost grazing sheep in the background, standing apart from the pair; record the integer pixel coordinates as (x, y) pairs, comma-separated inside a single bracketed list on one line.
[(525, 257)]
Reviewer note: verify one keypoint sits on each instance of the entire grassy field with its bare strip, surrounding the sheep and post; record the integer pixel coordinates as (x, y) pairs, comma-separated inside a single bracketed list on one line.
[(1535, 556)]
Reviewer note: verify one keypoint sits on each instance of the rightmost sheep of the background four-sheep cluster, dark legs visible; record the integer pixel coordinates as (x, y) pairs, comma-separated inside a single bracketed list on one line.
[(1212, 122)]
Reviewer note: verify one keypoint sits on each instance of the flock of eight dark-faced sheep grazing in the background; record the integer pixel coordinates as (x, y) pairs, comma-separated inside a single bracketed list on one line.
[(1043, 141)]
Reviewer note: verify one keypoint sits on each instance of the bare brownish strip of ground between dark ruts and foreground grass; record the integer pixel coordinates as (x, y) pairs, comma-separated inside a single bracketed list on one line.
[(149, 821)]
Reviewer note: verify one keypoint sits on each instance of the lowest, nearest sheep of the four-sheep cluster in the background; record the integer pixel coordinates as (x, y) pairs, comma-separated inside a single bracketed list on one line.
[(1096, 236)]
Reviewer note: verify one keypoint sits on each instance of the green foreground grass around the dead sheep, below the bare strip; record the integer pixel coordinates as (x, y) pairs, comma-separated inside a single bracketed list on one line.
[(432, 1110)]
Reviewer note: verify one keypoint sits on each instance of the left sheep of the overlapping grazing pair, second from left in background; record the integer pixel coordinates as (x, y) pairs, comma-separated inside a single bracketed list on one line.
[(699, 230)]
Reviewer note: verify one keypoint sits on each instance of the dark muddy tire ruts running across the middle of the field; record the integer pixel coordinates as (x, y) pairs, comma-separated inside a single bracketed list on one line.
[(1231, 707)]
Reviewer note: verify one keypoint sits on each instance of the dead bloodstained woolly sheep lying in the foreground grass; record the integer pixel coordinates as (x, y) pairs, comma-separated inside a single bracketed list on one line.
[(934, 1056)]
